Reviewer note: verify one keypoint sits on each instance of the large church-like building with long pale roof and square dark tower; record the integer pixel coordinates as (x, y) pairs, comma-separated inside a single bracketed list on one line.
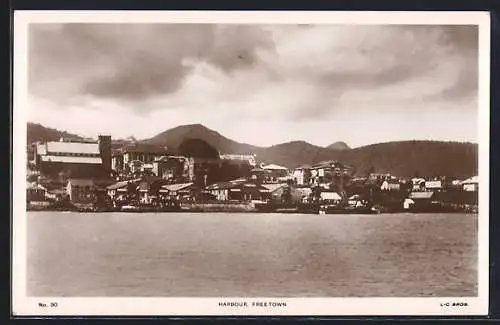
[(74, 158)]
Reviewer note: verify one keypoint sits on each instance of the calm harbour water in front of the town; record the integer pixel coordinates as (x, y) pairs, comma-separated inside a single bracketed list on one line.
[(246, 254)]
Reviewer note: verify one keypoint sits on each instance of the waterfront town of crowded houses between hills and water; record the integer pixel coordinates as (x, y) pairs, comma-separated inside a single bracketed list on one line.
[(78, 175)]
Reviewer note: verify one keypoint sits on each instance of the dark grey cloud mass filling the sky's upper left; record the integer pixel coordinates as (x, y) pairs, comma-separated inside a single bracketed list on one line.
[(128, 61)]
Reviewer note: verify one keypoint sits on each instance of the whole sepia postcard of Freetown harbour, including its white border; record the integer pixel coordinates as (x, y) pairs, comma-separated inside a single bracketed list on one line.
[(229, 163)]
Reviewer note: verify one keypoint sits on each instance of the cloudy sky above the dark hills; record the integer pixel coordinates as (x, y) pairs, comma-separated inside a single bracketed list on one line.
[(257, 84)]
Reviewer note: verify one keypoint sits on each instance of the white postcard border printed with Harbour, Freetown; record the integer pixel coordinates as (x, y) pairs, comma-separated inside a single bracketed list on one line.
[(24, 305)]
